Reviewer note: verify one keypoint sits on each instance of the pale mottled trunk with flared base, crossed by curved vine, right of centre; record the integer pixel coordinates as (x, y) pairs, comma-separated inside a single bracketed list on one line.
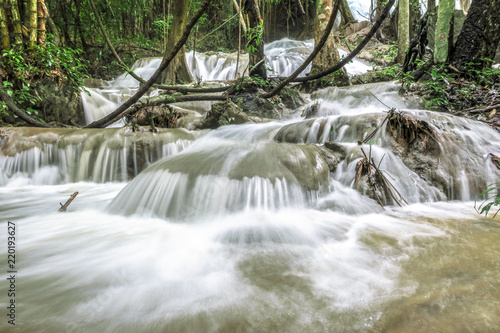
[(328, 55)]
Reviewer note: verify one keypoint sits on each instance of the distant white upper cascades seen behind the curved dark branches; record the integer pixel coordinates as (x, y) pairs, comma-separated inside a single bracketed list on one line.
[(283, 58)]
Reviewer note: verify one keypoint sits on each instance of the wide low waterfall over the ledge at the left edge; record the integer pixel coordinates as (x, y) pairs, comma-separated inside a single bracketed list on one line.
[(59, 155)]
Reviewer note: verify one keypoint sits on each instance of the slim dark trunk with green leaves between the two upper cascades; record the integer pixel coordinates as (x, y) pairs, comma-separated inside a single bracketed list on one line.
[(255, 41)]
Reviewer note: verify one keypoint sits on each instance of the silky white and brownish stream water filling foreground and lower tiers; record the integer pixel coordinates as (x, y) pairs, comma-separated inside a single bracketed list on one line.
[(251, 228)]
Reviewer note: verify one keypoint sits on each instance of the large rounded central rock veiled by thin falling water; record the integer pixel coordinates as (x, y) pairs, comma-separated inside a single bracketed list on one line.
[(230, 176)]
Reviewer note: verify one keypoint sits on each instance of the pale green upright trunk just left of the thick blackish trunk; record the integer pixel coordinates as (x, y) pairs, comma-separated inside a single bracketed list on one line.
[(443, 40)]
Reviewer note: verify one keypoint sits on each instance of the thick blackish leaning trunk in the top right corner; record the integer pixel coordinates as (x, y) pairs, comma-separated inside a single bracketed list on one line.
[(480, 34)]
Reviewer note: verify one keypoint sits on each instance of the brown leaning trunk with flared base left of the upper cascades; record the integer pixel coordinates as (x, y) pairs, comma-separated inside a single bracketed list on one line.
[(177, 71)]
